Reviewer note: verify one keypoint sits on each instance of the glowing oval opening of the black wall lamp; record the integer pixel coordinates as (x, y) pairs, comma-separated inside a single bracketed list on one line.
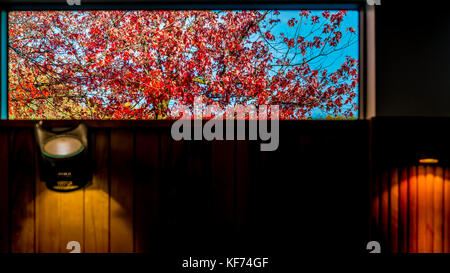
[(63, 146)]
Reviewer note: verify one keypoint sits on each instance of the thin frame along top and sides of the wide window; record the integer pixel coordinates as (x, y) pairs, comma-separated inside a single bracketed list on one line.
[(366, 36)]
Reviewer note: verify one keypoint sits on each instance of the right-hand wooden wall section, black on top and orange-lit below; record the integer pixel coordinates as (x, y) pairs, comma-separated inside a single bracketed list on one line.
[(410, 202)]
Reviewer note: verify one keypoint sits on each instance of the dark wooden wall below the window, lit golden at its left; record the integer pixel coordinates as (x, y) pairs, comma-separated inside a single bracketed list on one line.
[(152, 194)]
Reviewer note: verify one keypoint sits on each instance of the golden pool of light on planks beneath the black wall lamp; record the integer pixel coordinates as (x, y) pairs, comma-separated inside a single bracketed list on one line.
[(61, 217)]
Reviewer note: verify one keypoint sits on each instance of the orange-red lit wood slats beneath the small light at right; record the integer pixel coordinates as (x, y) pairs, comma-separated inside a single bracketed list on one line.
[(415, 205)]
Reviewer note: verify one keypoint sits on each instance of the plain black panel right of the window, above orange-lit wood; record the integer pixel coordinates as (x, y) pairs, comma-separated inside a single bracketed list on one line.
[(413, 59)]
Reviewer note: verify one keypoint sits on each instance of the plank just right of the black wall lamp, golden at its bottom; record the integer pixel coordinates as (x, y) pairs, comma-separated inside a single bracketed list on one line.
[(96, 198)]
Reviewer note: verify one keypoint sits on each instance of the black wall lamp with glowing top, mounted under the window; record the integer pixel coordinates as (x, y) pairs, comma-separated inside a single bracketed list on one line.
[(64, 162)]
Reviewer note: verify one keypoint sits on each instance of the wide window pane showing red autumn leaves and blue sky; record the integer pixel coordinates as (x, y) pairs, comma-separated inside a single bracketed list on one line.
[(145, 64)]
